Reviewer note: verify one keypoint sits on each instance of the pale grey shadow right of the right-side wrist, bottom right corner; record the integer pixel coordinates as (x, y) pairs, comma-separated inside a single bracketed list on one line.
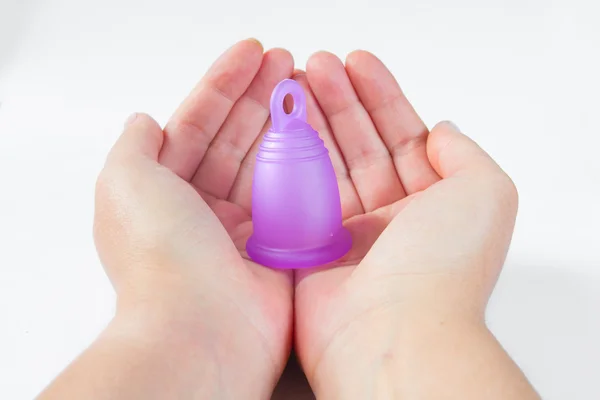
[(548, 319)]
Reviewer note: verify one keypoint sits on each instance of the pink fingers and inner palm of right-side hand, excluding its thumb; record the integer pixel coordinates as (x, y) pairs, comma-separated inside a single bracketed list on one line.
[(376, 143)]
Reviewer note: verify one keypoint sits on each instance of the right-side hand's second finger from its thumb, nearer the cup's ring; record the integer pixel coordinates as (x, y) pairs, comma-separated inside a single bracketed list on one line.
[(366, 156)]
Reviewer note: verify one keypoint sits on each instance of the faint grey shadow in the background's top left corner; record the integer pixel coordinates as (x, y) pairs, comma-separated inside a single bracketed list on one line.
[(14, 18)]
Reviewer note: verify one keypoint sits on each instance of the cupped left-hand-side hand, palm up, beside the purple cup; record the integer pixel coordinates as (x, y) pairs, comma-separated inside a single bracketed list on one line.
[(175, 258)]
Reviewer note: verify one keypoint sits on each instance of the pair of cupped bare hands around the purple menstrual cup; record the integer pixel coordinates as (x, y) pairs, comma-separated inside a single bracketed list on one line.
[(392, 319)]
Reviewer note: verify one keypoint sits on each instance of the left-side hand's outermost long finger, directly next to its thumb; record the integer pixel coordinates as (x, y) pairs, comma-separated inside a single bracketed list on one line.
[(197, 120)]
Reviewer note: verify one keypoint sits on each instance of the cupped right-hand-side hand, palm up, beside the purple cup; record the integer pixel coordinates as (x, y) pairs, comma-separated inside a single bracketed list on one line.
[(431, 216)]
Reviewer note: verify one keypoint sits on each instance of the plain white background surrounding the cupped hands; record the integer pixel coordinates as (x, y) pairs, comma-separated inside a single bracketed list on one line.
[(520, 77)]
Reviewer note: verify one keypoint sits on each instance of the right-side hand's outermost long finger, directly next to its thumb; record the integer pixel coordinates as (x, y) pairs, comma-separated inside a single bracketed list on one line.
[(401, 129)]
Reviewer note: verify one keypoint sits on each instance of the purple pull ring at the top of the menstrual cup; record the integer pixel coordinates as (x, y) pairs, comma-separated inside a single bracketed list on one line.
[(279, 118)]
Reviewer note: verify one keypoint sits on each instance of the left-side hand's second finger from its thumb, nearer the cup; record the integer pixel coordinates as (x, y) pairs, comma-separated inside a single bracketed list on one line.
[(217, 171)]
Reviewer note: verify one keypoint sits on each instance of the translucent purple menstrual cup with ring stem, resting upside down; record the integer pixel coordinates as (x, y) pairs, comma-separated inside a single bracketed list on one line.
[(296, 206)]
